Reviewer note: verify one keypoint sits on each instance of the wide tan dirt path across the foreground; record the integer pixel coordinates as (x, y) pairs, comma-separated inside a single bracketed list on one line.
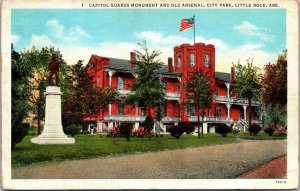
[(220, 161)]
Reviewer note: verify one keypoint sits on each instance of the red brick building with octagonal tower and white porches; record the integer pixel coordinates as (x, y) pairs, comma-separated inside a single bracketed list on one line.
[(225, 108)]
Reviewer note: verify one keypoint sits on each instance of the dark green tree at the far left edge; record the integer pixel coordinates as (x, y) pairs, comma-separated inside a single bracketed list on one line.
[(19, 105)]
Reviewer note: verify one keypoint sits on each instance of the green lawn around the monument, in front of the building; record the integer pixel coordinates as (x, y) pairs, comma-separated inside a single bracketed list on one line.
[(89, 146)]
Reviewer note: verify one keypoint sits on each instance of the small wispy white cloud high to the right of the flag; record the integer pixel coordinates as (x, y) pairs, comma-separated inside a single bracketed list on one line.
[(249, 29)]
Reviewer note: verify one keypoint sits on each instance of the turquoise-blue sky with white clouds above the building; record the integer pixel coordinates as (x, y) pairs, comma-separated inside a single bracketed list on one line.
[(78, 33)]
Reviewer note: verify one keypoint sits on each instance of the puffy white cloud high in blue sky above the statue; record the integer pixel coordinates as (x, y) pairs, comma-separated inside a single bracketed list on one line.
[(71, 35)]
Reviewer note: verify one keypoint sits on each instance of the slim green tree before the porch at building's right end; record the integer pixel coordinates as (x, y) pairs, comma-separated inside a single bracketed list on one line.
[(247, 82)]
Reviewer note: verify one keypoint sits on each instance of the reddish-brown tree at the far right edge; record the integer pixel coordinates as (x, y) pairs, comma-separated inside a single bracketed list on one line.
[(274, 82)]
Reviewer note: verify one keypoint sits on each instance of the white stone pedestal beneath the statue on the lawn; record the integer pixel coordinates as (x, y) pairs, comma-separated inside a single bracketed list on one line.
[(53, 130)]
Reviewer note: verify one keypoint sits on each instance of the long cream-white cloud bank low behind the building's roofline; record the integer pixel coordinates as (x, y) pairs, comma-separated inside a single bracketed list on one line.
[(225, 53)]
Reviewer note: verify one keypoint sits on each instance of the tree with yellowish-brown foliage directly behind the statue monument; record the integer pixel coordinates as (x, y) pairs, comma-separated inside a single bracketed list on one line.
[(38, 60)]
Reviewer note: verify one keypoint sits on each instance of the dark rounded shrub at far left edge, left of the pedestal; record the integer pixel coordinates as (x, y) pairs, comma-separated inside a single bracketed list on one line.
[(18, 133)]
